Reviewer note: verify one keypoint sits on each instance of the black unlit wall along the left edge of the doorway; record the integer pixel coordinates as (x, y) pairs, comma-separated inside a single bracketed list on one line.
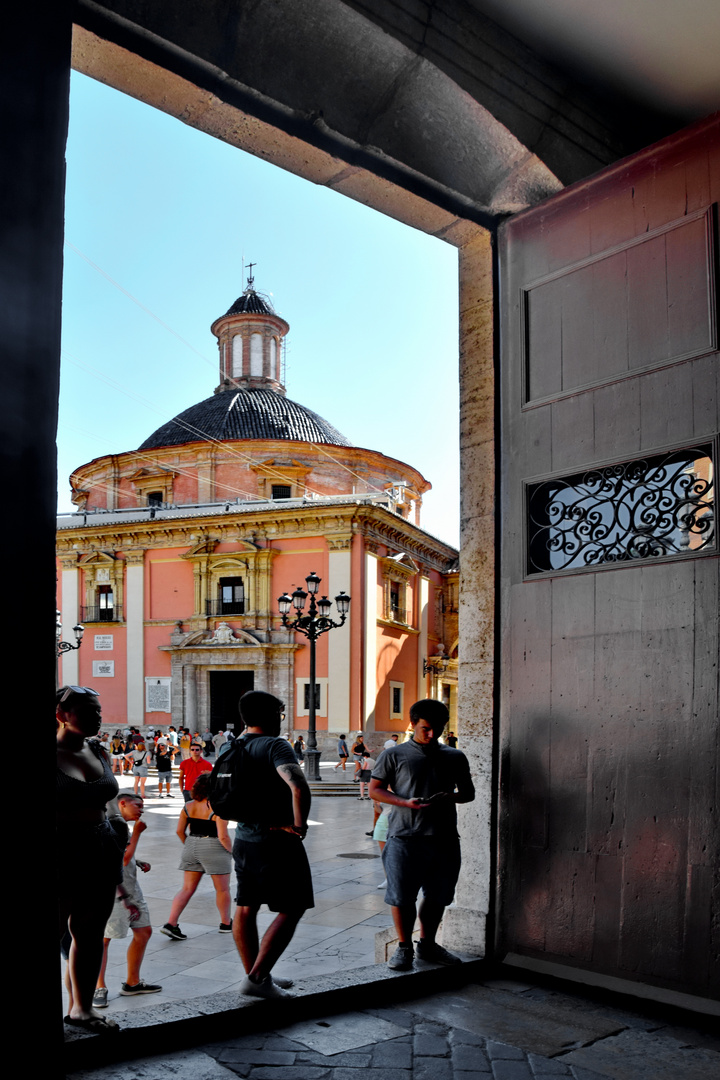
[(35, 75)]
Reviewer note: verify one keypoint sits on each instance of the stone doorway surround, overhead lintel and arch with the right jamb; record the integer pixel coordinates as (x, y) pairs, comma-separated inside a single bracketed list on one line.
[(422, 151)]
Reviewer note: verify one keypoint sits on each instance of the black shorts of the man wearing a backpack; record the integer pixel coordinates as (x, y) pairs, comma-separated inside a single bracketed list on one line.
[(275, 872)]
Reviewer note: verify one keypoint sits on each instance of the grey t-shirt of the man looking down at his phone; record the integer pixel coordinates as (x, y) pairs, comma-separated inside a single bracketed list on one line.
[(415, 772)]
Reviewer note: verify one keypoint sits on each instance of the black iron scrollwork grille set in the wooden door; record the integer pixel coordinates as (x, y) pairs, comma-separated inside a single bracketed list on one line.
[(656, 507)]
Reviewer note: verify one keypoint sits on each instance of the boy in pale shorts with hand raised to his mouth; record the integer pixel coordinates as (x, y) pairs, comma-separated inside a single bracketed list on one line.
[(131, 911)]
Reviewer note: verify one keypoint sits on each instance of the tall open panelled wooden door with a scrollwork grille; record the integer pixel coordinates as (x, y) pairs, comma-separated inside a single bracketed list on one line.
[(608, 817)]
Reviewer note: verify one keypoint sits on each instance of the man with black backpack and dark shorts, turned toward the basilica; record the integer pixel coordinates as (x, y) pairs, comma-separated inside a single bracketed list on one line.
[(260, 785)]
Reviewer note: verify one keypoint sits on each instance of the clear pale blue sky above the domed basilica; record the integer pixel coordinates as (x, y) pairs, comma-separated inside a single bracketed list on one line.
[(169, 214)]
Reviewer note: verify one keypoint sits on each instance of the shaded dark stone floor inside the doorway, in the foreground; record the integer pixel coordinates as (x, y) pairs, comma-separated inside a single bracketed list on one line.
[(498, 1030)]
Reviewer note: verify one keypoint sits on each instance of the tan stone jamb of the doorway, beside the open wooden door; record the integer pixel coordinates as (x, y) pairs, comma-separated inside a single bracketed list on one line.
[(466, 922)]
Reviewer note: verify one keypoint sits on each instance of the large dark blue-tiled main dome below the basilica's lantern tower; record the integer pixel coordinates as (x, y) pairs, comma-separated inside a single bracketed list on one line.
[(246, 414)]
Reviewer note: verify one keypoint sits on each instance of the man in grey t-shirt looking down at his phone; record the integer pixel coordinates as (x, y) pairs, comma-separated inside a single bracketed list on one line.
[(424, 781)]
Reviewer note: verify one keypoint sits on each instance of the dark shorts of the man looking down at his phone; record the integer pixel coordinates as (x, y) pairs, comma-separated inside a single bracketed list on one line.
[(413, 863)]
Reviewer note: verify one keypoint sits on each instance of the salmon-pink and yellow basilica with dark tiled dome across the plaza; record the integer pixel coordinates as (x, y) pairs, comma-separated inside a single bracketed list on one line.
[(179, 552)]
